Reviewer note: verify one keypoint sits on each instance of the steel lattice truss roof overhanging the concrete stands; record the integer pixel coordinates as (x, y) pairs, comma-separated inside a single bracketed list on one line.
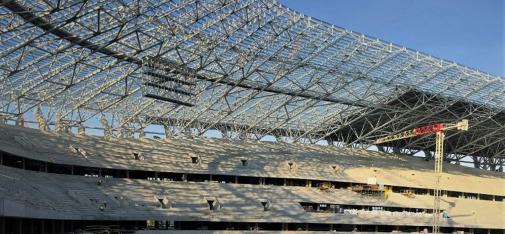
[(248, 66)]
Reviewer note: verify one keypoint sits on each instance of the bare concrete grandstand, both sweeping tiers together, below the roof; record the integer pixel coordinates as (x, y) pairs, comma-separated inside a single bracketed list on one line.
[(232, 185)]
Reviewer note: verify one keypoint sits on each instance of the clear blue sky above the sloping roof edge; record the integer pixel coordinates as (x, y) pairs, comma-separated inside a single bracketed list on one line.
[(468, 32)]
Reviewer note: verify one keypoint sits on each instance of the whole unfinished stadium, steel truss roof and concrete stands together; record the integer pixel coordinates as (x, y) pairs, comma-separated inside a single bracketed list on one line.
[(150, 117)]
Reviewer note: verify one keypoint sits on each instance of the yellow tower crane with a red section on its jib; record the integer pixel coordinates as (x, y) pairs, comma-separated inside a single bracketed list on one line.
[(439, 130)]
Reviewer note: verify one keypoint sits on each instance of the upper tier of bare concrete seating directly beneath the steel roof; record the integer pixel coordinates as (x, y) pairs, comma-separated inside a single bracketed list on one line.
[(264, 159)]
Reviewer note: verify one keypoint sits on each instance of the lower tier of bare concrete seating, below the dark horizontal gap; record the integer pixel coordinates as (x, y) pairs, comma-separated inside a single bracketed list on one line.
[(46, 195)]
